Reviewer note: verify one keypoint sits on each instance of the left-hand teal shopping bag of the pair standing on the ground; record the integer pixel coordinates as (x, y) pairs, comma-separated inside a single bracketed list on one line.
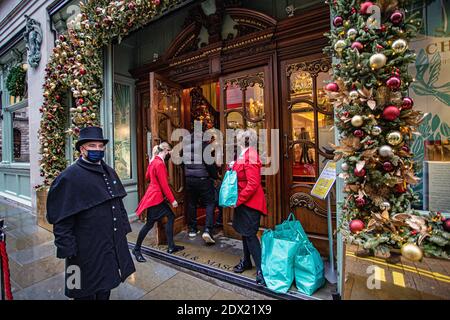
[(277, 261)]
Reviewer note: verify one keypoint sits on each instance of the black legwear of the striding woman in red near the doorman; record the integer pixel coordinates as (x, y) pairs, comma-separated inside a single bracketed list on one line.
[(155, 214)]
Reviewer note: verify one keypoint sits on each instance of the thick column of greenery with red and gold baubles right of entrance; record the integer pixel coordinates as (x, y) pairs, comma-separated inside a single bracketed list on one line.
[(376, 119)]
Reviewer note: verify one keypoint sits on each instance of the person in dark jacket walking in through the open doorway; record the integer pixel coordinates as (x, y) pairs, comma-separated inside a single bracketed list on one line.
[(200, 178)]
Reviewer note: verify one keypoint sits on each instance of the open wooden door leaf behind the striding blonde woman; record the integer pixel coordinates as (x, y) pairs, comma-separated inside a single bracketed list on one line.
[(166, 115)]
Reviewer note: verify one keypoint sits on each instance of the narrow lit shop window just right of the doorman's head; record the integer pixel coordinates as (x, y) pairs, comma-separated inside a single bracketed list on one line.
[(122, 130)]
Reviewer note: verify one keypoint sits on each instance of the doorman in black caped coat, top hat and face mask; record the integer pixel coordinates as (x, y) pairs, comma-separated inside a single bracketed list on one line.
[(90, 222)]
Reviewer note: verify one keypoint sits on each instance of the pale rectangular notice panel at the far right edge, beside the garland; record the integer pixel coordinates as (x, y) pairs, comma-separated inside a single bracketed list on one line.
[(438, 186)]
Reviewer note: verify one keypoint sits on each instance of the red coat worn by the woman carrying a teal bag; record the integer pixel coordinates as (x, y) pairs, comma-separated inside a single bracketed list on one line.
[(250, 191)]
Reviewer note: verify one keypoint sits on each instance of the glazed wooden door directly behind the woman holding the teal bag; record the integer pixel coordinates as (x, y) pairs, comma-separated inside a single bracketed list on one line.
[(246, 103)]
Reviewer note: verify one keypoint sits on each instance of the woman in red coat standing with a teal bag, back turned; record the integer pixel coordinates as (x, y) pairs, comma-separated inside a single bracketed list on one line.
[(251, 203)]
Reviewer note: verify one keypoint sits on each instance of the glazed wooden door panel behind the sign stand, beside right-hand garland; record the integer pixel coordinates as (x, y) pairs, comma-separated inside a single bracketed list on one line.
[(307, 131)]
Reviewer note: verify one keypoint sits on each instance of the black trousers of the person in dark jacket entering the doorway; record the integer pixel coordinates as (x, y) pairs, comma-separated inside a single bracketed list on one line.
[(200, 189)]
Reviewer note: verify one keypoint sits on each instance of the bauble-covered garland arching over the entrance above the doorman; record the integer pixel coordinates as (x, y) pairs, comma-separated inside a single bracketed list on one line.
[(76, 65)]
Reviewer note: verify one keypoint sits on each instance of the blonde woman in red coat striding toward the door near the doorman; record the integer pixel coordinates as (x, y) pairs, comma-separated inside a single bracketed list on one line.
[(154, 202)]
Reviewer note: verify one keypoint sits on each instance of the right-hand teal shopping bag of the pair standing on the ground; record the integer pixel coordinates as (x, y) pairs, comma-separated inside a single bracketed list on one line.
[(309, 269)]
